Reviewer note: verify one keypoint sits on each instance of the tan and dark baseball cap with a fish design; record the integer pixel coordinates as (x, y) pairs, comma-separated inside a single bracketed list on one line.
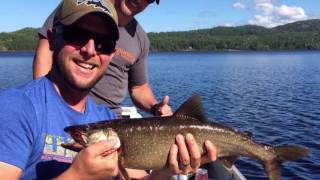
[(69, 11)]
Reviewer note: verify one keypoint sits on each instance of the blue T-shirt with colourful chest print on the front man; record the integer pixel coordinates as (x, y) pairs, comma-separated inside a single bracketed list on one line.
[(32, 119)]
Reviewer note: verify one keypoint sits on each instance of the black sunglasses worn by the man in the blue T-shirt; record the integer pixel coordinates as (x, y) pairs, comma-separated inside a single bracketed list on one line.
[(76, 35)]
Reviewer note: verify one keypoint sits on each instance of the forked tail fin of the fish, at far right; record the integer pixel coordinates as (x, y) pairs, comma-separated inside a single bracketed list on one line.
[(283, 153)]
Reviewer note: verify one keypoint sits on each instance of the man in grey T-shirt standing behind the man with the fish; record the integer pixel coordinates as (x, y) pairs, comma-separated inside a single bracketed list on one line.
[(128, 68)]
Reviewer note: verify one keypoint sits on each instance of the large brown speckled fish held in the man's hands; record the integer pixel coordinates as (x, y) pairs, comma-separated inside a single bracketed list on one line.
[(145, 142)]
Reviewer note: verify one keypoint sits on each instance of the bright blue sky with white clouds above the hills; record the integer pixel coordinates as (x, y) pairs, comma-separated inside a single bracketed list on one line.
[(177, 15)]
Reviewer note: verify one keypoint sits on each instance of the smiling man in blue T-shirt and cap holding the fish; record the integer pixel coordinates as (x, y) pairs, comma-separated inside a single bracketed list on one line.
[(32, 116)]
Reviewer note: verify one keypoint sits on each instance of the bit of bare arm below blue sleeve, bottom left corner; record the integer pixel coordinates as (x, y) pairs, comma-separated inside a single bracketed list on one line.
[(8, 171)]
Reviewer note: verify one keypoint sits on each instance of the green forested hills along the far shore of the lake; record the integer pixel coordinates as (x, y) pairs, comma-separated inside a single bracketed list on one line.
[(292, 36)]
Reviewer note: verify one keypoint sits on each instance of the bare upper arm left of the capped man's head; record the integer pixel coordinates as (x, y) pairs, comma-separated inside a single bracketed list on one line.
[(42, 61)]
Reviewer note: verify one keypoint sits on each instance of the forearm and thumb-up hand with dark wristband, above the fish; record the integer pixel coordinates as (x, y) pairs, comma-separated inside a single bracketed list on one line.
[(142, 96)]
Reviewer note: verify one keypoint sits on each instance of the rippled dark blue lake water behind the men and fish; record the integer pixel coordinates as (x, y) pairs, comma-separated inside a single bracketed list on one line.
[(274, 95)]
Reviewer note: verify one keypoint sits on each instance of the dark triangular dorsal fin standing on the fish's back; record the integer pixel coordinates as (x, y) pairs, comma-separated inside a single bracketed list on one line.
[(192, 108)]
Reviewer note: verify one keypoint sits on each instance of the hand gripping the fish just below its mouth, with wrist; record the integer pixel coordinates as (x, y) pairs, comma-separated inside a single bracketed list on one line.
[(97, 161)]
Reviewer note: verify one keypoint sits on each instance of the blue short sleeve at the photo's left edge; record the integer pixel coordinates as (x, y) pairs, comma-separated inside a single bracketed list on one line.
[(16, 129)]
